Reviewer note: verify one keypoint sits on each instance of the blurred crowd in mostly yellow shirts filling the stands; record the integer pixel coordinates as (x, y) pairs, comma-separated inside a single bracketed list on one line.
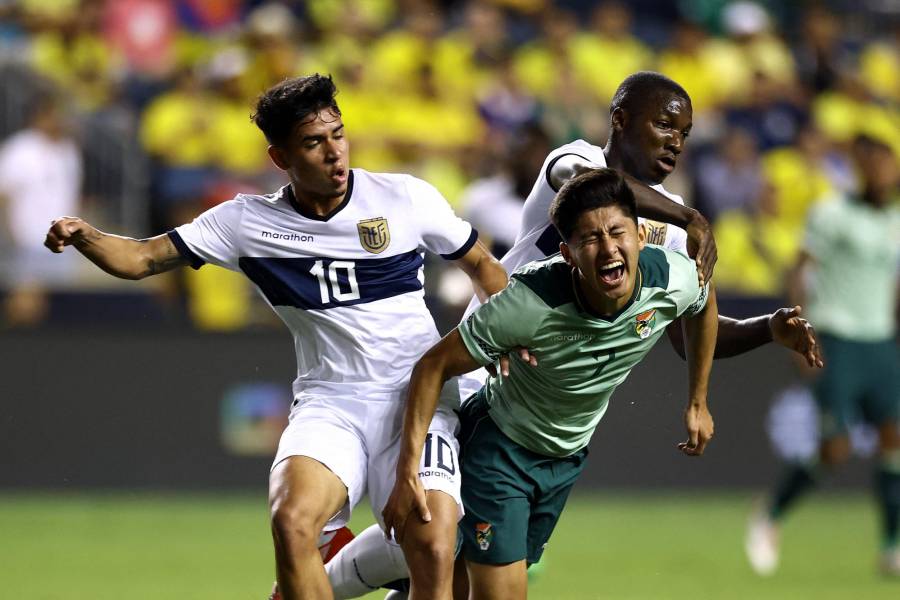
[(469, 95)]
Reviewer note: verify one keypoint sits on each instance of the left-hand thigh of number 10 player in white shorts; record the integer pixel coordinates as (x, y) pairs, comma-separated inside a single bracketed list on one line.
[(320, 458)]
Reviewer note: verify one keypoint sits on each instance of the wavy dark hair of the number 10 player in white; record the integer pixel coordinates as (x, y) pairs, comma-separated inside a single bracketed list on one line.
[(283, 106)]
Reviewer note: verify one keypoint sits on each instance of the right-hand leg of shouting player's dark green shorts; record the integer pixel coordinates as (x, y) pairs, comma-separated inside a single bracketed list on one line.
[(555, 481)]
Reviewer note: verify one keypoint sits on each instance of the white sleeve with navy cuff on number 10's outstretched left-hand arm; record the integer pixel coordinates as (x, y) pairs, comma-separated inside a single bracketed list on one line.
[(212, 237)]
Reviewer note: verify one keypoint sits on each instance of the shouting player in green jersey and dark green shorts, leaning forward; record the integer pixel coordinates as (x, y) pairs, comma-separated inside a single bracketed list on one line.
[(588, 315)]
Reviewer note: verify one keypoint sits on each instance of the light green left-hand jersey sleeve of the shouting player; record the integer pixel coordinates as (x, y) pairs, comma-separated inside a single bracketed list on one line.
[(508, 320)]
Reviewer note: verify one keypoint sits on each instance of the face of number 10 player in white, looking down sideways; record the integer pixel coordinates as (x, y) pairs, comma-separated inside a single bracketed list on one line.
[(316, 157)]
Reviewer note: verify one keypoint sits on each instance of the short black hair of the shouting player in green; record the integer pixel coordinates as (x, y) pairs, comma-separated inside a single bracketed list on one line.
[(596, 188)]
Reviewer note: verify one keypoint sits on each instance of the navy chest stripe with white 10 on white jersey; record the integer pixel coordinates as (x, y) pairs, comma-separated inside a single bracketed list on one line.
[(321, 282)]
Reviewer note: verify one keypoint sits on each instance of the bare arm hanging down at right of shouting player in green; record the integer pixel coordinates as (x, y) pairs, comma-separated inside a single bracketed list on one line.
[(700, 341)]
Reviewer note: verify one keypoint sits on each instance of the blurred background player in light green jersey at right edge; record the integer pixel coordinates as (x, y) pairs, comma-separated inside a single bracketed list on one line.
[(849, 262)]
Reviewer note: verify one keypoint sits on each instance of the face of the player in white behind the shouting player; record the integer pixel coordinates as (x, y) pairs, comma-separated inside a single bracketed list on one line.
[(654, 136)]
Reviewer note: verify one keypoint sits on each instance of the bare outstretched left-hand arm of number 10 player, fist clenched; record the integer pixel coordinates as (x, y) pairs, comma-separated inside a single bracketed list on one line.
[(126, 258)]
